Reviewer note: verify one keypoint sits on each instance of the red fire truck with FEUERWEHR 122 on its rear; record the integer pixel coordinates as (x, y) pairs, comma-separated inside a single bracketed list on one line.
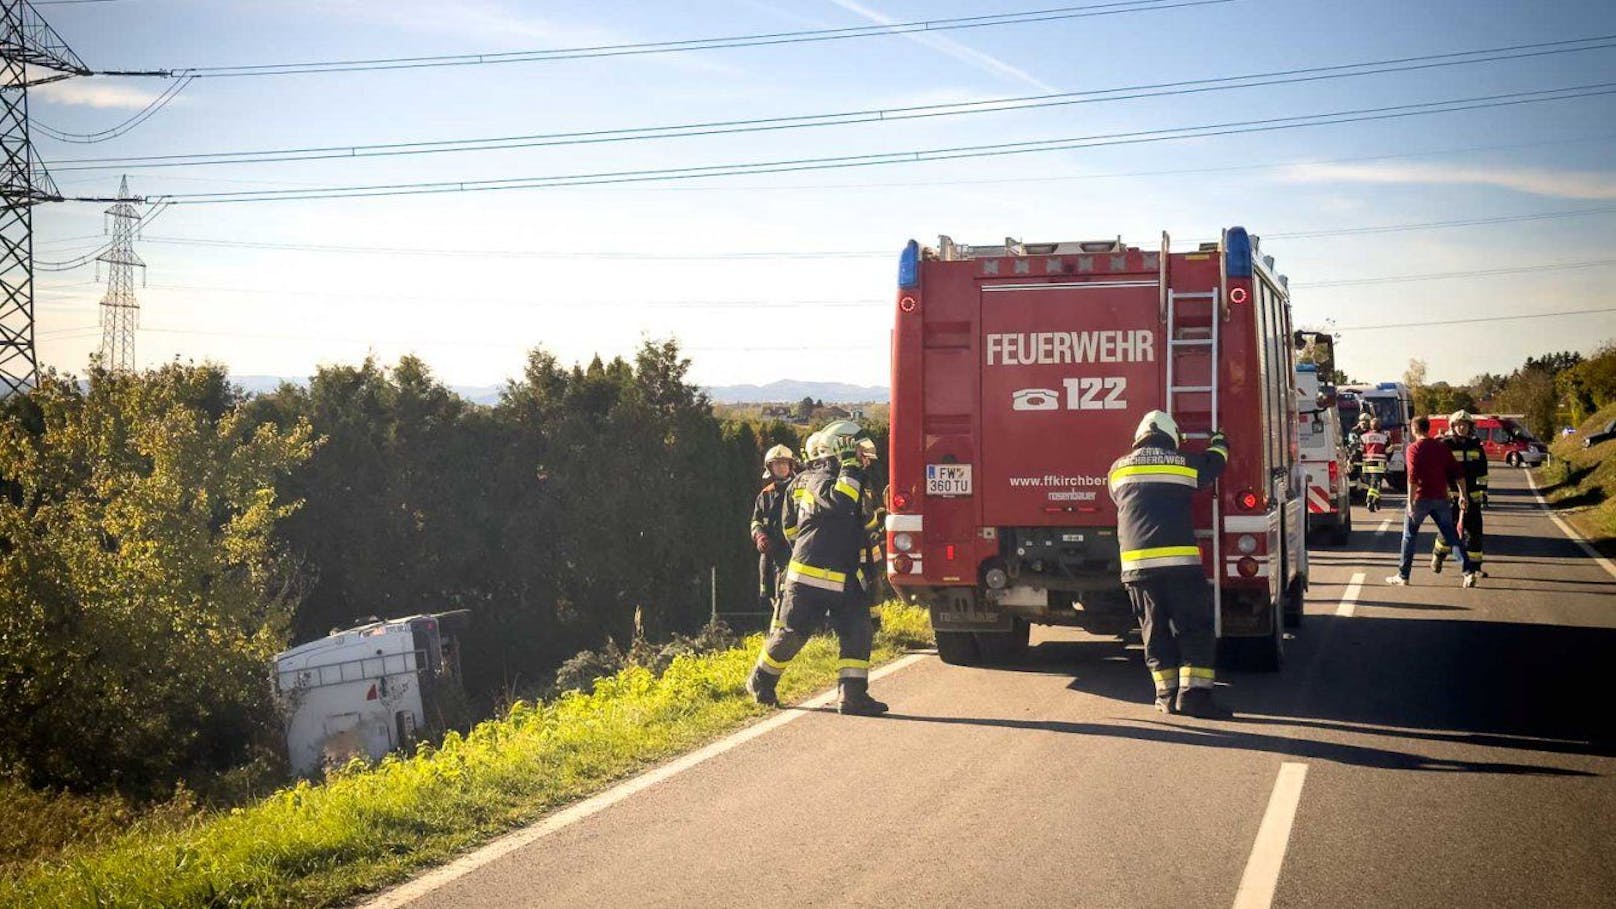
[(1019, 376)]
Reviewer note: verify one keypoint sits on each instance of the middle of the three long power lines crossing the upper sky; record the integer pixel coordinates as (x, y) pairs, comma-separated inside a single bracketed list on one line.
[(856, 117)]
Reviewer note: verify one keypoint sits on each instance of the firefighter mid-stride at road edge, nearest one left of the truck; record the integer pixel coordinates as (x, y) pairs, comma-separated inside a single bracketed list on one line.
[(827, 526)]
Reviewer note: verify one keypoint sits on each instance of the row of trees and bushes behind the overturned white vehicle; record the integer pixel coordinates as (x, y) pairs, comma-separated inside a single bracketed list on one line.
[(164, 535)]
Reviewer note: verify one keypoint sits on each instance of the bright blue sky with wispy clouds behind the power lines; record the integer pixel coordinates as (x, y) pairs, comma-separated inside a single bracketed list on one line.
[(276, 311)]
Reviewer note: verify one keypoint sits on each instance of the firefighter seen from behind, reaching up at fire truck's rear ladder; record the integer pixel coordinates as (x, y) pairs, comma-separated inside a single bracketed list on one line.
[(1161, 562)]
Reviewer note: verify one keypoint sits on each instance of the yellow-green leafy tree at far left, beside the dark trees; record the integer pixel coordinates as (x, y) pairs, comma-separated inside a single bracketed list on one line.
[(145, 586)]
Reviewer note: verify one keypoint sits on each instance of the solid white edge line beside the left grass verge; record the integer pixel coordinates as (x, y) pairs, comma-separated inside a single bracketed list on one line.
[(469, 863)]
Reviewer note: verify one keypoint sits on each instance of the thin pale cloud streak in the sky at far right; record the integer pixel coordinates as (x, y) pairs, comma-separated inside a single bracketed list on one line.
[(1538, 182)]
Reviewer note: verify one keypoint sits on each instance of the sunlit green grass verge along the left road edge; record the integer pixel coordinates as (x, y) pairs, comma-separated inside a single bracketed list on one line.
[(371, 826)]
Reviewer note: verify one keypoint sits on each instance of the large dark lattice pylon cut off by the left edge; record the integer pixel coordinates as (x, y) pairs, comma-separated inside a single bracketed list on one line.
[(32, 54)]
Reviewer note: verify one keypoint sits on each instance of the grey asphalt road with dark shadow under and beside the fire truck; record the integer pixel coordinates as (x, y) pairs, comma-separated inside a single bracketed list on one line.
[(1457, 745)]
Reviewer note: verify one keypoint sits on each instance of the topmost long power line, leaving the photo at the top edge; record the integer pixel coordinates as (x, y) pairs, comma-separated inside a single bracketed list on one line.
[(767, 40)]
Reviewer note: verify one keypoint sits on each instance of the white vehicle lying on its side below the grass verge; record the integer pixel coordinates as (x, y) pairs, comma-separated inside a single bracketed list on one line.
[(368, 690)]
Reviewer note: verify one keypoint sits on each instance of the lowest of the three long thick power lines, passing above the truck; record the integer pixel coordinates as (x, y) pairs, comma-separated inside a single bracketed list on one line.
[(838, 163)]
